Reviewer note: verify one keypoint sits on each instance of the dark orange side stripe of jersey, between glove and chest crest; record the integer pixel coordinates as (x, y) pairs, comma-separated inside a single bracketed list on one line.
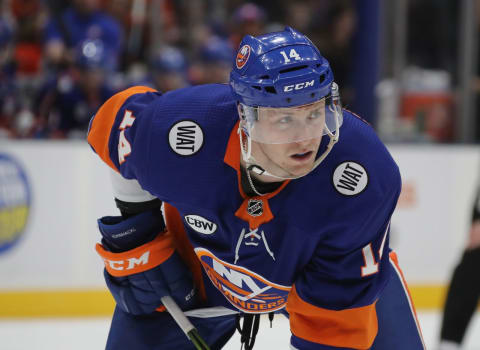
[(183, 246)]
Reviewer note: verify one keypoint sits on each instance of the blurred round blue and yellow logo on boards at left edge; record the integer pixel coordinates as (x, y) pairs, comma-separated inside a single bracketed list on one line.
[(14, 201)]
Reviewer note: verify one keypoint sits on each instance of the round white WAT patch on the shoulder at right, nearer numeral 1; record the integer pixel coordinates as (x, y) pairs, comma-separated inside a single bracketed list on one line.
[(350, 178)]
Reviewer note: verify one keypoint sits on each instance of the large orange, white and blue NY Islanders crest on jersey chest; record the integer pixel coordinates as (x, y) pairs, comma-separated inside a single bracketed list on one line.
[(244, 289)]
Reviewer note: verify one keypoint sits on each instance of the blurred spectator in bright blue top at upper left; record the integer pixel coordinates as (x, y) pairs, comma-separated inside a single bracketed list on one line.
[(83, 20)]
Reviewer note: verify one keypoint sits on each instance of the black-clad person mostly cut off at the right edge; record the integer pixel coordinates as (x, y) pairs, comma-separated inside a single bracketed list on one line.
[(464, 290)]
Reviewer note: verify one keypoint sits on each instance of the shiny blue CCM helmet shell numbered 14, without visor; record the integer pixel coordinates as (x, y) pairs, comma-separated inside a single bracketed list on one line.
[(280, 69)]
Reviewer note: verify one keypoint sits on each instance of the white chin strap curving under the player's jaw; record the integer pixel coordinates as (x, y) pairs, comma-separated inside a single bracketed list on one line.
[(246, 149)]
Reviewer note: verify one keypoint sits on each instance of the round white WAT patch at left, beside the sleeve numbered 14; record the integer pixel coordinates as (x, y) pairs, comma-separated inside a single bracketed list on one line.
[(185, 138)]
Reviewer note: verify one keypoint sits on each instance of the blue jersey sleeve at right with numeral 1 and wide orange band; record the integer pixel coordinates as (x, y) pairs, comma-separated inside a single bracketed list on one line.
[(332, 303)]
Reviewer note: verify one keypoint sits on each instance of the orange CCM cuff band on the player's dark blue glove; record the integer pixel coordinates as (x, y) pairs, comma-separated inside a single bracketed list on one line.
[(137, 260)]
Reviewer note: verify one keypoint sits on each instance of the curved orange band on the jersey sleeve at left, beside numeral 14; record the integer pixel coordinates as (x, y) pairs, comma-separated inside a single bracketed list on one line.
[(99, 134)]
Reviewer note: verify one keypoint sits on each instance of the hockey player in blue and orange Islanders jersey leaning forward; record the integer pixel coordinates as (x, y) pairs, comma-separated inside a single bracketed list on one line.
[(265, 204)]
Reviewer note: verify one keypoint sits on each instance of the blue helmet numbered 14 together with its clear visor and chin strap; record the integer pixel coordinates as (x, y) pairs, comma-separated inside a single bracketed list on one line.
[(285, 93)]
